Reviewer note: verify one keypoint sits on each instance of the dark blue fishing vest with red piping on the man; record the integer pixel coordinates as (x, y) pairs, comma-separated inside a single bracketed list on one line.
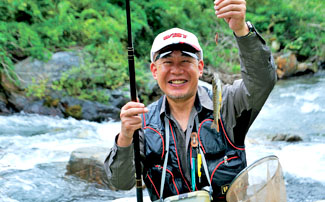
[(224, 159)]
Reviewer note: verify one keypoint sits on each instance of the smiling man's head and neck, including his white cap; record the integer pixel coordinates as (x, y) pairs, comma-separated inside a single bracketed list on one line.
[(177, 65)]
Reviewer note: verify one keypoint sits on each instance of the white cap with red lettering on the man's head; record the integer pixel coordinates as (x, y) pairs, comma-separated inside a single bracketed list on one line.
[(174, 36)]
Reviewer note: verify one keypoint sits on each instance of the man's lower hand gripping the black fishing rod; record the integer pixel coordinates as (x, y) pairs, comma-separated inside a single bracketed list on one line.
[(130, 121)]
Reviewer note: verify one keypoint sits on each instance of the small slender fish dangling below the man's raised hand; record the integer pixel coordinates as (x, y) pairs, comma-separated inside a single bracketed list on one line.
[(217, 98)]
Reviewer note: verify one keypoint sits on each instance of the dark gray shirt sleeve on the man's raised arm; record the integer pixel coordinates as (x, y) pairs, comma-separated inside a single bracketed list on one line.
[(243, 100)]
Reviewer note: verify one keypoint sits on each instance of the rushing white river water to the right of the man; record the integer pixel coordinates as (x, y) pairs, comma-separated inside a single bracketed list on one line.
[(295, 107)]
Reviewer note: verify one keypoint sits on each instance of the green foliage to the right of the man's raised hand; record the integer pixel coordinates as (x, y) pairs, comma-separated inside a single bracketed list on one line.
[(297, 25)]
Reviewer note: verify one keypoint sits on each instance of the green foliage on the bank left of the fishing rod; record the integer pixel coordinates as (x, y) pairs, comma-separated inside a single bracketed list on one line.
[(37, 28)]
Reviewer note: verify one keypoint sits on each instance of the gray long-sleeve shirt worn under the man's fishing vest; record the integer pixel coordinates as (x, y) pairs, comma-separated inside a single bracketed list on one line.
[(241, 103)]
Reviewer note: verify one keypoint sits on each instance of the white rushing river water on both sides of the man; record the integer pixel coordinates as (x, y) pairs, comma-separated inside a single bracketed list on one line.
[(34, 150)]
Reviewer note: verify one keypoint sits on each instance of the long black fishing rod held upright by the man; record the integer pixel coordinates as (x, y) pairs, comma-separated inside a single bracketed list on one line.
[(133, 91)]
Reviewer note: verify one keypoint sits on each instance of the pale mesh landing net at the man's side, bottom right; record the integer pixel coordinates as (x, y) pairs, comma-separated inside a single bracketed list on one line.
[(262, 181)]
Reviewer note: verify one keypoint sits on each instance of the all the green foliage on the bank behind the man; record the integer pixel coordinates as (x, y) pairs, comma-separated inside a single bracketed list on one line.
[(38, 28)]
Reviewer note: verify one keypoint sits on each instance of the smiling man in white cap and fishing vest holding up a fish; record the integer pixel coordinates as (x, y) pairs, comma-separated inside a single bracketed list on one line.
[(187, 109)]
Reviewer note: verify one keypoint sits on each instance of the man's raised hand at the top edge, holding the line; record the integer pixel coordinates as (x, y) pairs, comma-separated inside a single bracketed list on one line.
[(233, 12)]
